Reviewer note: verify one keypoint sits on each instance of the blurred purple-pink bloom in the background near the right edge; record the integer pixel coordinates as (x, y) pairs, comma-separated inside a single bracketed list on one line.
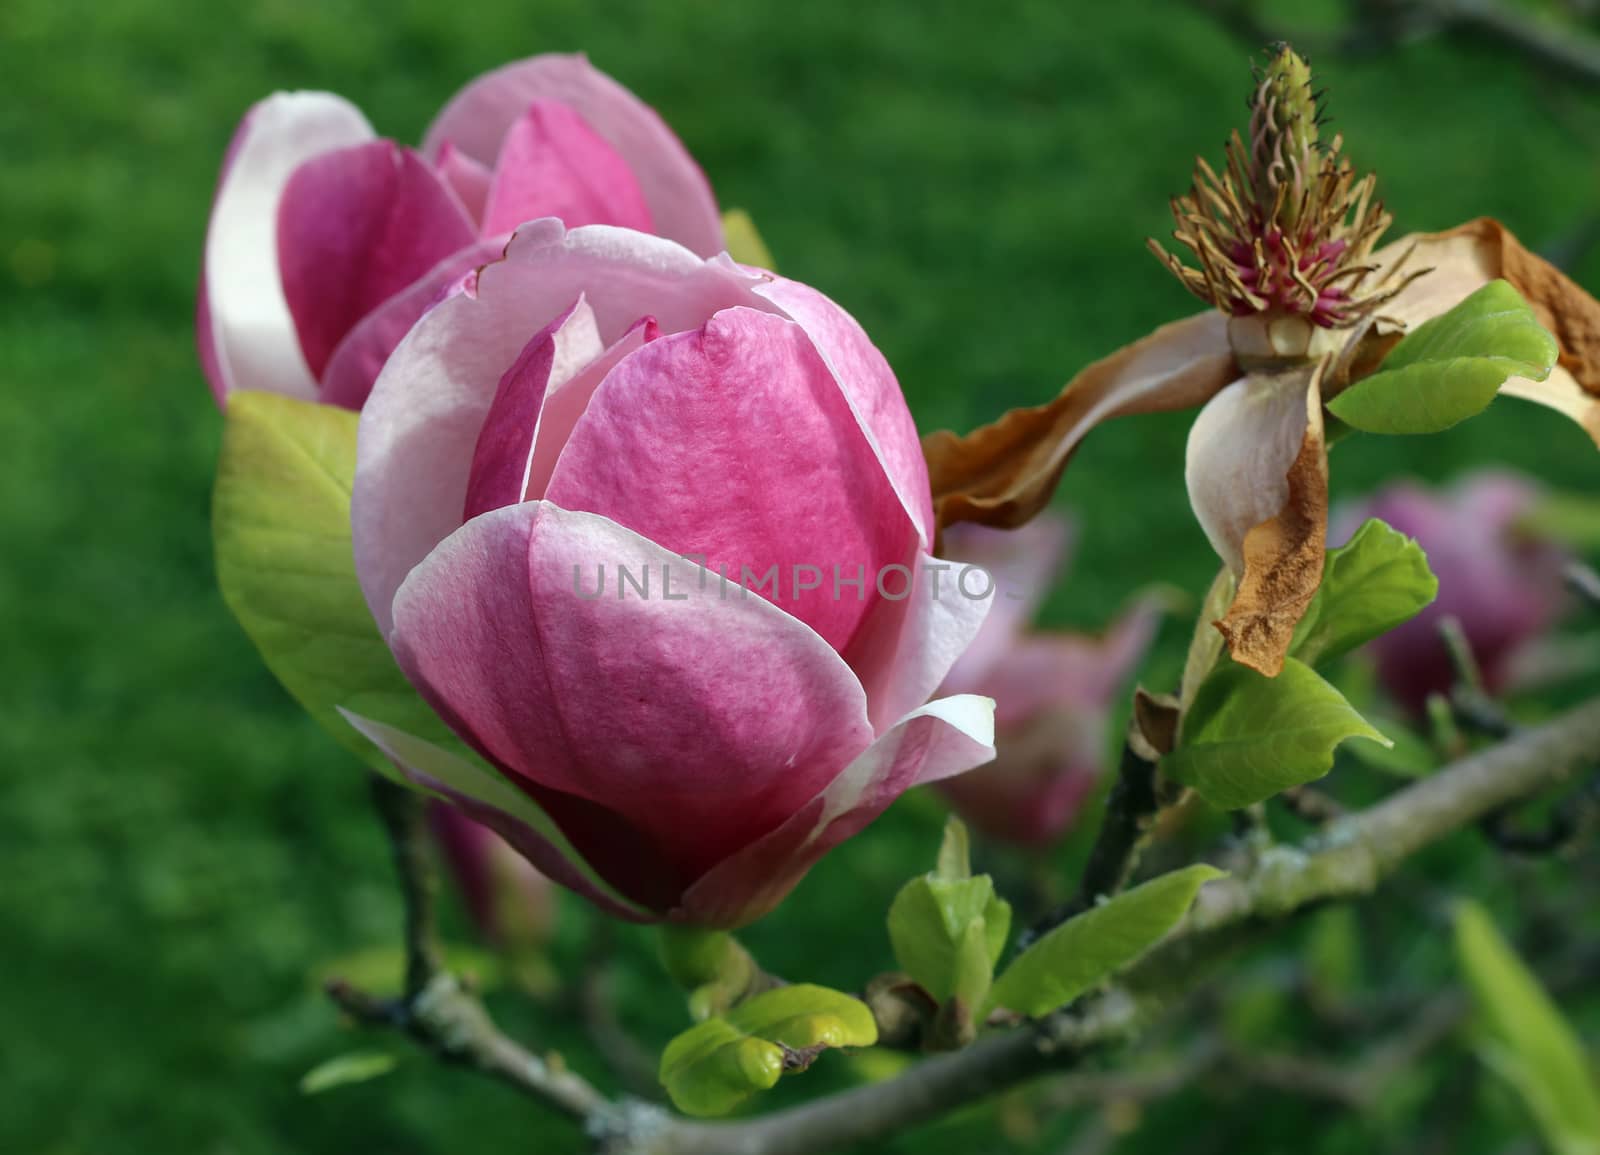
[(1500, 583)]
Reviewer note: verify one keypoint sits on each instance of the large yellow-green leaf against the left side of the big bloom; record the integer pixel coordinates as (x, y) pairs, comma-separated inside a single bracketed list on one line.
[(281, 519)]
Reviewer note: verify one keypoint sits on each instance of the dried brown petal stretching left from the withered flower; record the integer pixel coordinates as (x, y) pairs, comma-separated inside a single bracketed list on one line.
[(1004, 473)]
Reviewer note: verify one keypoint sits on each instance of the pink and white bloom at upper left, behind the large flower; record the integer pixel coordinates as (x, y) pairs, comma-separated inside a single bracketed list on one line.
[(327, 242)]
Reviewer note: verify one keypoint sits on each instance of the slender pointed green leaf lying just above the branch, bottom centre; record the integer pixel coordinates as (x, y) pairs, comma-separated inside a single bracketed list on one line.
[(1097, 945)]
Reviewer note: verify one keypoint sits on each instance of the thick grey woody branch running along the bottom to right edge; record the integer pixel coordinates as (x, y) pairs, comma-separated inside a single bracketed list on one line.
[(1345, 860)]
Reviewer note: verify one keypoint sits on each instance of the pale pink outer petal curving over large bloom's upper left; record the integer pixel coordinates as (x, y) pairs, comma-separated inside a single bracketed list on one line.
[(423, 420)]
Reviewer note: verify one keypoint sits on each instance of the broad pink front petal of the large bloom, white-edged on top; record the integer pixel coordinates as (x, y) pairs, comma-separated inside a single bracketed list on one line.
[(702, 721)]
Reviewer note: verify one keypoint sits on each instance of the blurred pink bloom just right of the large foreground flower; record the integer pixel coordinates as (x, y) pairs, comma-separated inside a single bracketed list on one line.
[(1054, 690)]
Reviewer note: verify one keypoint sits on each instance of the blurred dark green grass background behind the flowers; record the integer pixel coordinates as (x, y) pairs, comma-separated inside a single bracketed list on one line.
[(183, 853)]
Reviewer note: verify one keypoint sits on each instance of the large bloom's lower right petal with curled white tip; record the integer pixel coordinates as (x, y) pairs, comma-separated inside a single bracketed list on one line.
[(945, 738)]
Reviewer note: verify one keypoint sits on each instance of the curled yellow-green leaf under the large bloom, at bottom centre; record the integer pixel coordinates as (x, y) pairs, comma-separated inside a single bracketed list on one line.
[(718, 1065)]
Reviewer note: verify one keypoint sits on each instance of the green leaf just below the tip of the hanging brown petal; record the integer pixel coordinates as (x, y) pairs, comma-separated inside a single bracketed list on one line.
[(1249, 737)]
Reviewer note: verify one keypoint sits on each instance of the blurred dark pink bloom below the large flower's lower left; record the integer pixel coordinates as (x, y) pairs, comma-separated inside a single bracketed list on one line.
[(511, 903)]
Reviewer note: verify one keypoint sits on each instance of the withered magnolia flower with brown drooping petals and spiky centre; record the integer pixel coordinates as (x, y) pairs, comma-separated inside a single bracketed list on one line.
[(1305, 308)]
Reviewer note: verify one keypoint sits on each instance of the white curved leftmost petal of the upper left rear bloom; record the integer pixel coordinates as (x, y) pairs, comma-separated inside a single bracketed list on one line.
[(246, 332)]
